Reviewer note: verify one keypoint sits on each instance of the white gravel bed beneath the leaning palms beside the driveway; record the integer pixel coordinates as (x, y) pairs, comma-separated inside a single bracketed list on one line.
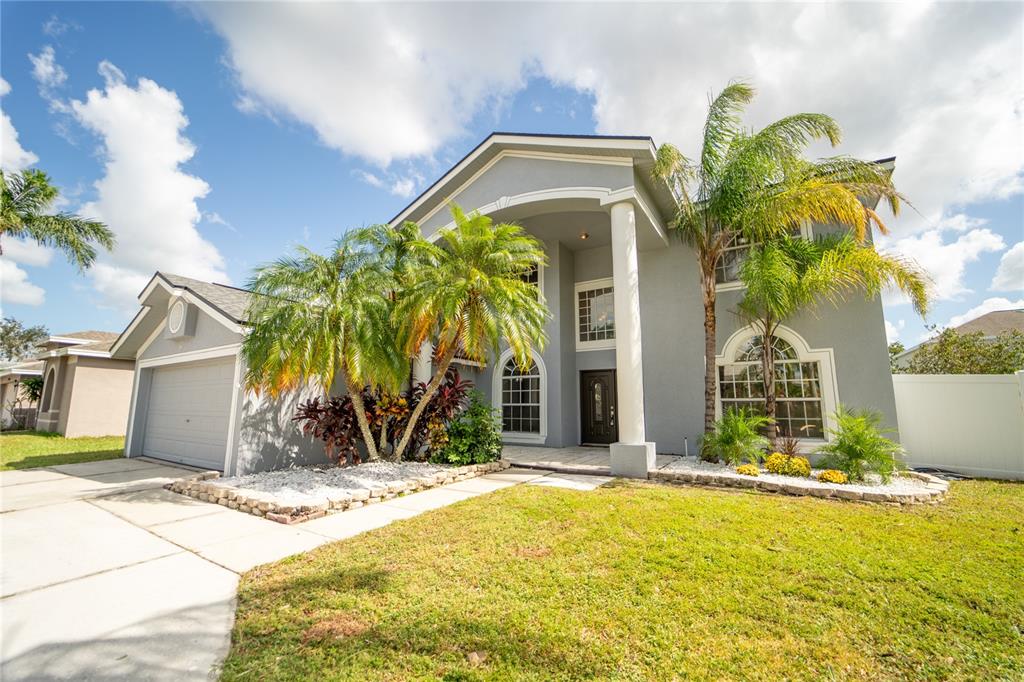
[(304, 486)]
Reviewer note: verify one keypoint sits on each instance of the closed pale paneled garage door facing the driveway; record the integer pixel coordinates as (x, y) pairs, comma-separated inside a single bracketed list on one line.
[(188, 416)]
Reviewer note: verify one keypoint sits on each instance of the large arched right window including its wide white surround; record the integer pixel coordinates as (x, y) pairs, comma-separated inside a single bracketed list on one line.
[(806, 395)]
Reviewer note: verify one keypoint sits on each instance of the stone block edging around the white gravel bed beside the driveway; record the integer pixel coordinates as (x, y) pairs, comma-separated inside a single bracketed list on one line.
[(263, 504)]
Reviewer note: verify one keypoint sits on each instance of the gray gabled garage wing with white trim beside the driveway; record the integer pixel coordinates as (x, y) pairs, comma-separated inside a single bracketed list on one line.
[(189, 405)]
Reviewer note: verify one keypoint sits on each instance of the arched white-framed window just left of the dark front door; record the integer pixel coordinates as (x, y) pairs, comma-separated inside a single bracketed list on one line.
[(521, 396)]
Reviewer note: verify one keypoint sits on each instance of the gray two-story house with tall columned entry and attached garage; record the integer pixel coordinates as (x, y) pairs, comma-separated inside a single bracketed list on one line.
[(624, 364)]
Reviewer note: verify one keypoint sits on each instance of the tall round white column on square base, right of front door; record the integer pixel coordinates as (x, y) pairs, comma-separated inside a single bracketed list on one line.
[(632, 456)]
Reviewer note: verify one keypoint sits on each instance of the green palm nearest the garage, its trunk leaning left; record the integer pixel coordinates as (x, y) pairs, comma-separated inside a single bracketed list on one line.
[(314, 317)]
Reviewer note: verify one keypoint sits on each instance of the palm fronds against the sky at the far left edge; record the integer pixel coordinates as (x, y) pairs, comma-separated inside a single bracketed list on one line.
[(27, 199)]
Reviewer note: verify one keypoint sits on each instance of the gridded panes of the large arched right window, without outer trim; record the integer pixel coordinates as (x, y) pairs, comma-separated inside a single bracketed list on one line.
[(798, 388)]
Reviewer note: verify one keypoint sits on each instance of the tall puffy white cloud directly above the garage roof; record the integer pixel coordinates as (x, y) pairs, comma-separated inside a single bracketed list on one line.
[(145, 196)]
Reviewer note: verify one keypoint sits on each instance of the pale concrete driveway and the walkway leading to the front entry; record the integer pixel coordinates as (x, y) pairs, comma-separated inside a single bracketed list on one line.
[(107, 576)]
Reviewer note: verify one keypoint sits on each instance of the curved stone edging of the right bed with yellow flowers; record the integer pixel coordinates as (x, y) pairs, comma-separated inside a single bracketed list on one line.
[(934, 493)]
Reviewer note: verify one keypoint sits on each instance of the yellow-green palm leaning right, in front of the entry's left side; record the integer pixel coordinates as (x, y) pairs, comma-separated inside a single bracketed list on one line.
[(471, 297)]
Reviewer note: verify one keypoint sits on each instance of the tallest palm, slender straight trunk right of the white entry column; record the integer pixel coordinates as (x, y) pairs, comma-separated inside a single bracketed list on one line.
[(758, 186)]
